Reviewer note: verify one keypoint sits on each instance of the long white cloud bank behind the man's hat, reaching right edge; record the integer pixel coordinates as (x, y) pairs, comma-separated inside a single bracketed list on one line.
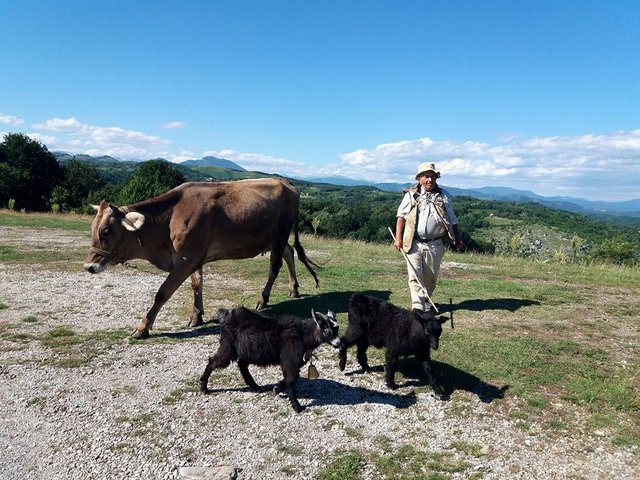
[(585, 165)]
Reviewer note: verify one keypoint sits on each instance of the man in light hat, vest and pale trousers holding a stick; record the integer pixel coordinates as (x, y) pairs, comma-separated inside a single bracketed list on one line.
[(425, 218)]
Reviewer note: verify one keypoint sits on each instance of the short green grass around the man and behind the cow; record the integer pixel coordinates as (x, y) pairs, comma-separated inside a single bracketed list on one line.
[(561, 341)]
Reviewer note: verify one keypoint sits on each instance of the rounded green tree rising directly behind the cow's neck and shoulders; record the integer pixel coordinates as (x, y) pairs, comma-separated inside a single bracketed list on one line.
[(153, 178)]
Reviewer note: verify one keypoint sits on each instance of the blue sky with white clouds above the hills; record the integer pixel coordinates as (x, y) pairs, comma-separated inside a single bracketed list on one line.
[(542, 96)]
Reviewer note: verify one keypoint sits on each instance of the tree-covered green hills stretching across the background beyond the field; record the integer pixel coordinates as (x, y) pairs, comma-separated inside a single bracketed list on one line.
[(33, 179)]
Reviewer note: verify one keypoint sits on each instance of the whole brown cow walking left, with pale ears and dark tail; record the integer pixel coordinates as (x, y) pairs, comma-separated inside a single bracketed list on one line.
[(196, 223)]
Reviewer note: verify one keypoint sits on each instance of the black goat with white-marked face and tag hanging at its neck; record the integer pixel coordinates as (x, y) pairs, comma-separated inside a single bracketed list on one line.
[(252, 339)]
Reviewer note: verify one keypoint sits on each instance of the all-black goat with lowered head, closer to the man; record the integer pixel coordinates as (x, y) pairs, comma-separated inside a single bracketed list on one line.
[(376, 322)]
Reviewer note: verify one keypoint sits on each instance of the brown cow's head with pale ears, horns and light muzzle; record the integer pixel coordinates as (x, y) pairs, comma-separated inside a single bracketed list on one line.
[(114, 236)]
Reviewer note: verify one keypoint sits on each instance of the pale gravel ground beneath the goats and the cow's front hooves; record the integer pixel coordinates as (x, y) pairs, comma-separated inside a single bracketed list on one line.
[(131, 410)]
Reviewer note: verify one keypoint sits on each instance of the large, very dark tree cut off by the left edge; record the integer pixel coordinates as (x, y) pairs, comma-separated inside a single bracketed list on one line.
[(28, 173)]
